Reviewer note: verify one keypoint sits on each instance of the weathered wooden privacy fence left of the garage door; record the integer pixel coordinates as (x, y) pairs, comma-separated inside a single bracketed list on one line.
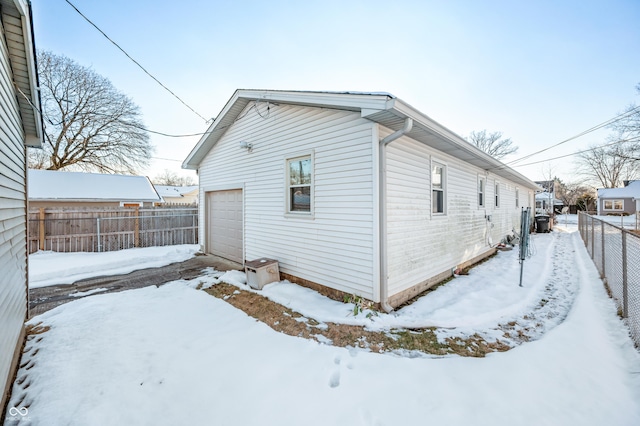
[(103, 229)]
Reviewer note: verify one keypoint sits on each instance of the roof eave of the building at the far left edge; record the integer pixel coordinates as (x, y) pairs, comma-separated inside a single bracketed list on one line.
[(18, 32)]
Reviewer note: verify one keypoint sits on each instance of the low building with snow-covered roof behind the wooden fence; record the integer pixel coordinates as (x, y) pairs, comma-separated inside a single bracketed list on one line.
[(57, 189)]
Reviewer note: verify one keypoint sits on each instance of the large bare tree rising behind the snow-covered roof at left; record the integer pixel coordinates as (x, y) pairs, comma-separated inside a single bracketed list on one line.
[(89, 125)]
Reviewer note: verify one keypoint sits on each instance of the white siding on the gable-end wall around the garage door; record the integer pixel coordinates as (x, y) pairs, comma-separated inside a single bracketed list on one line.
[(333, 247)]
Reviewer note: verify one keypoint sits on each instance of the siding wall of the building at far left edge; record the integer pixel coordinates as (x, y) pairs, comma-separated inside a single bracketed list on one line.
[(13, 251)]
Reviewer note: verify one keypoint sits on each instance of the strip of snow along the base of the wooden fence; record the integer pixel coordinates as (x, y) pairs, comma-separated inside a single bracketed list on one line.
[(50, 268)]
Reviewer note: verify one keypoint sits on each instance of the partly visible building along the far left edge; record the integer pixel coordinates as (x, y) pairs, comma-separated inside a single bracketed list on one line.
[(20, 126)]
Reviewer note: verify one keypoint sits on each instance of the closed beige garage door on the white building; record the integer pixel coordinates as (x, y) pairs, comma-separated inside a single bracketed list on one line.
[(224, 224)]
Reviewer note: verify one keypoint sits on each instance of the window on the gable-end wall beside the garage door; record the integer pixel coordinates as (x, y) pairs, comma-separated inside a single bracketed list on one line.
[(299, 180)]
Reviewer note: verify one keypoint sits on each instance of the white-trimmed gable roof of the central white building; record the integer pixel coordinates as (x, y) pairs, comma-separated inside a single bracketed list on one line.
[(379, 107)]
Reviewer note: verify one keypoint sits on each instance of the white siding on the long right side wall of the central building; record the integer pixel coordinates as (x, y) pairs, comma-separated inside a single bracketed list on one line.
[(421, 245)]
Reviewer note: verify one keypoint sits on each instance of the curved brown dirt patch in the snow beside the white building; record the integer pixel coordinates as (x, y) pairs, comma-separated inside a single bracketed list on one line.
[(286, 321)]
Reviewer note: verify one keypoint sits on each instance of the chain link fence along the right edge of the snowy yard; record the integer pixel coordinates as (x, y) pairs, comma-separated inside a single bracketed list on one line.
[(616, 254)]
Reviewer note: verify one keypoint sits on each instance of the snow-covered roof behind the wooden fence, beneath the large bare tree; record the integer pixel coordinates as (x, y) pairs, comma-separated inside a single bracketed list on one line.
[(77, 186)]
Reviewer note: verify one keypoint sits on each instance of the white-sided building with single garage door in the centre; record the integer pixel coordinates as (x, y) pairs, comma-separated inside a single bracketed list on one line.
[(355, 192)]
